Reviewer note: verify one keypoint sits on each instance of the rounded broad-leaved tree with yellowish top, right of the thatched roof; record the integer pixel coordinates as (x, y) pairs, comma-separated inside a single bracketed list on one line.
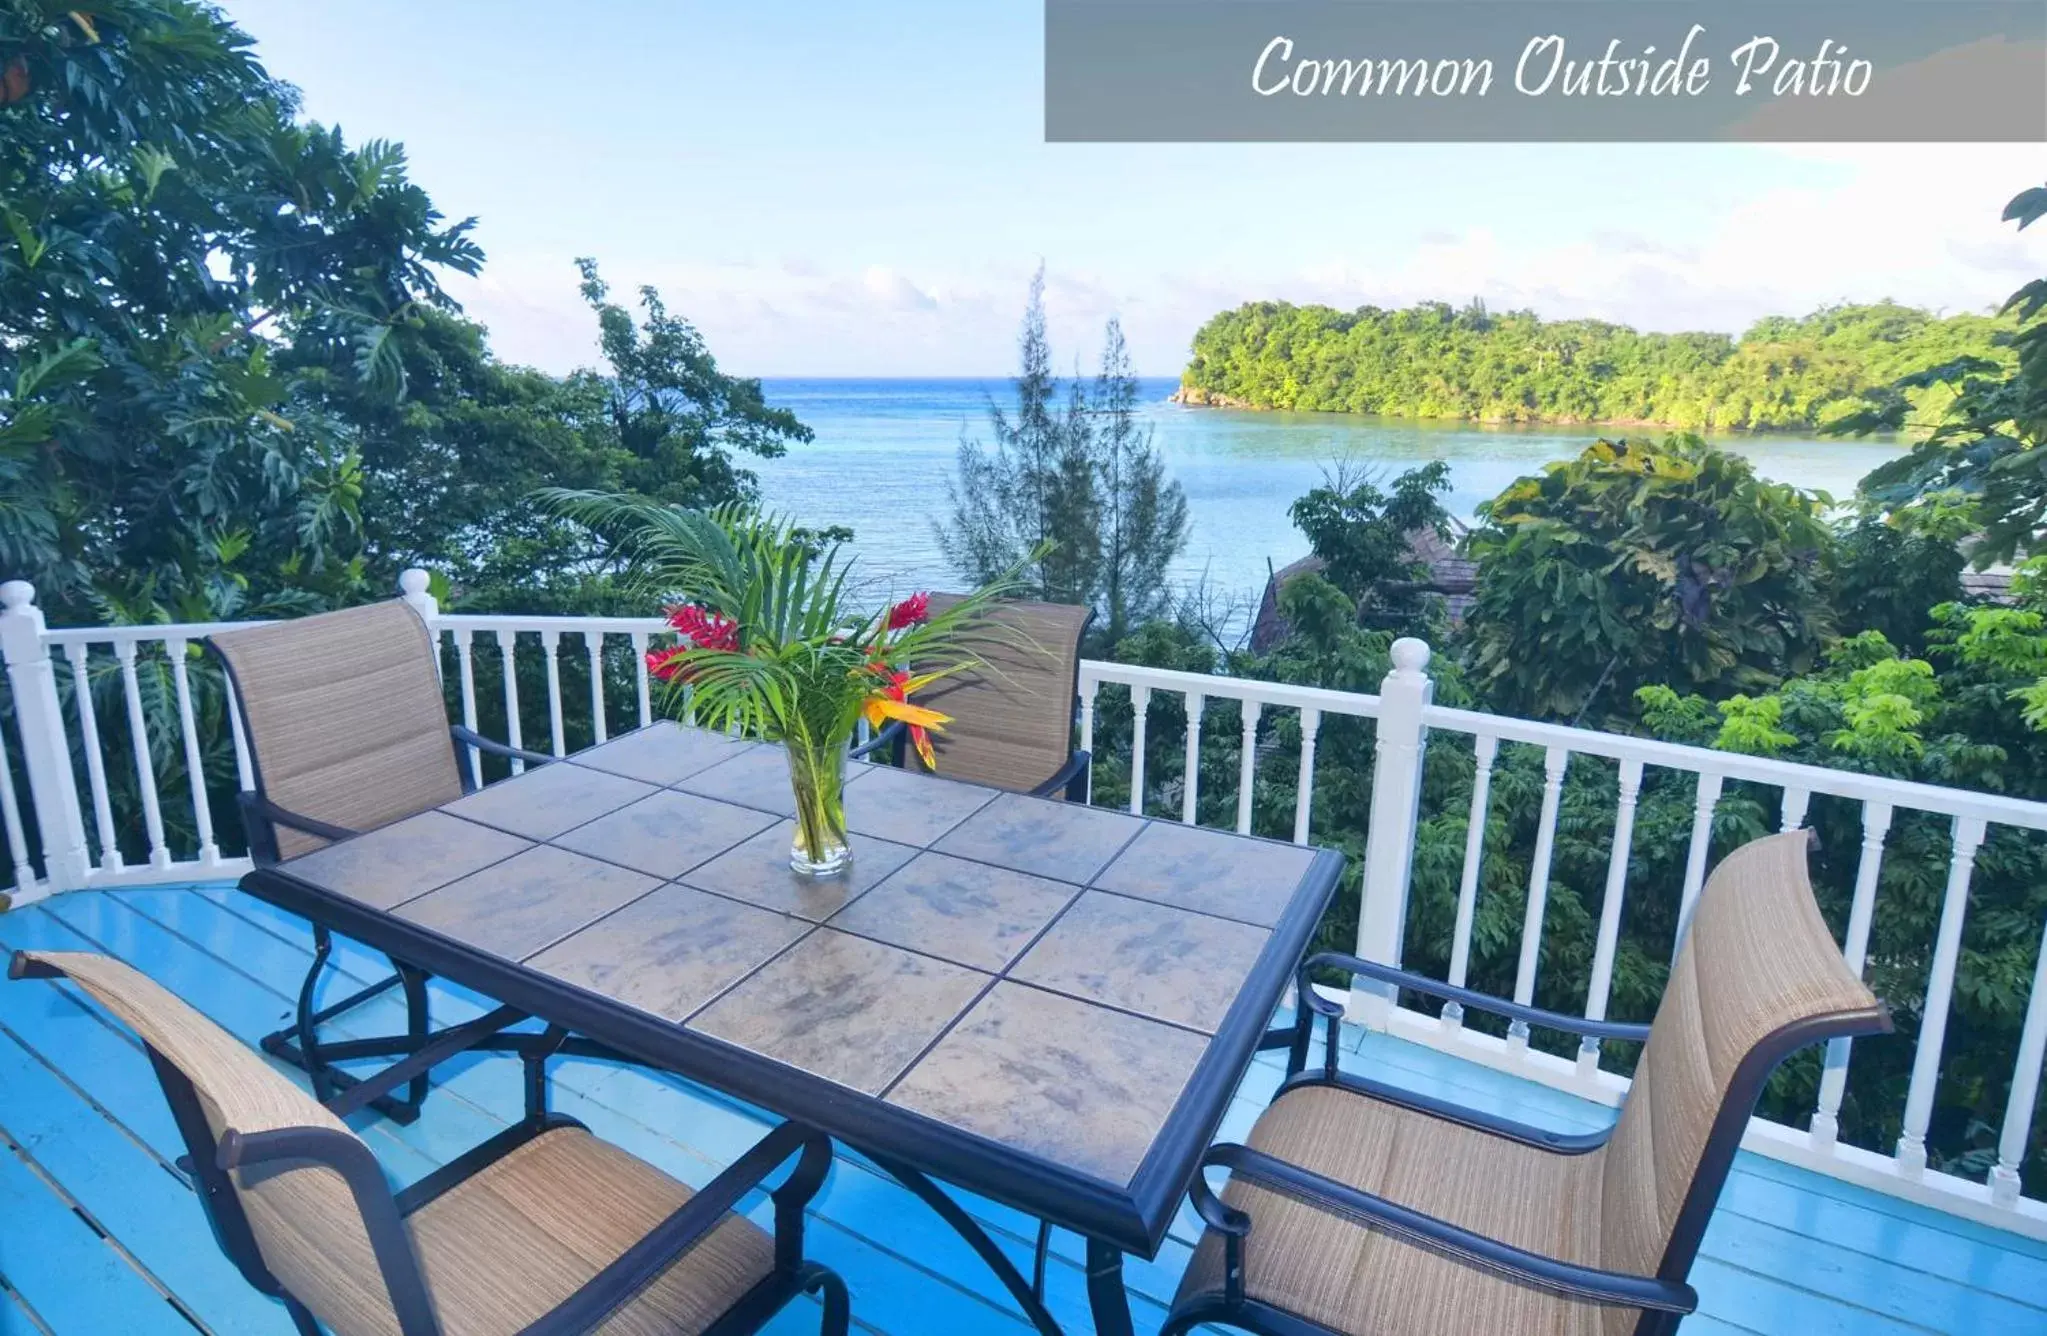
[(1637, 566)]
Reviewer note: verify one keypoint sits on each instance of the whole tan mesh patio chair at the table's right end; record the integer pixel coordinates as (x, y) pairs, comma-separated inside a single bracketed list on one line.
[(1360, 1208)]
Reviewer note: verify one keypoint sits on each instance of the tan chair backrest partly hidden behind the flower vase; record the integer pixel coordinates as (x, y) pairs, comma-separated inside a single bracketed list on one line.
[(1012, 723)]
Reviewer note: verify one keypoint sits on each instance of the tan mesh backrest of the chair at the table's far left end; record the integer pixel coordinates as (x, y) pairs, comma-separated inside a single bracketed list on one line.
[(345, 717)]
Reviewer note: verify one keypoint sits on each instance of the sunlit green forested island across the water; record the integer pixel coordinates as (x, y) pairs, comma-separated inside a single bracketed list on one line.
[(1438, 361)]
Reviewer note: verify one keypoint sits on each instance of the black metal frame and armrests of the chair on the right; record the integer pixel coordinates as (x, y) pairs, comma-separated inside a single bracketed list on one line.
[(1665, 1298)]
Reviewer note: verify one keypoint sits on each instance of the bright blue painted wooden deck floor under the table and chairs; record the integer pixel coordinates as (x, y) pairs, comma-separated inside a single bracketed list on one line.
[(99, 1231)]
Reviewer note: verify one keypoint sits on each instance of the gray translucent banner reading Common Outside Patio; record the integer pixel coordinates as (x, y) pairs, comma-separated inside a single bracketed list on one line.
[(1532, 71)]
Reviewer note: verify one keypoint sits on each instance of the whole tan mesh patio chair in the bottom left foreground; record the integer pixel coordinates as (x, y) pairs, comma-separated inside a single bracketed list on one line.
[(541, 1231)]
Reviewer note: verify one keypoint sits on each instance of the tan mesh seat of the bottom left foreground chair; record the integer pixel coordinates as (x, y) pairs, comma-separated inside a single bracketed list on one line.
[(509, 1245)]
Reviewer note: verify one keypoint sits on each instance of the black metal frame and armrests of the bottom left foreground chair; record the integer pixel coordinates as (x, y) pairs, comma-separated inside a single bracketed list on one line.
[(384, 1212)]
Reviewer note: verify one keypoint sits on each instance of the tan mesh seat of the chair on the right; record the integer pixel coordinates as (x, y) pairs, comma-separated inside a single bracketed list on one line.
[(1364, 1282)]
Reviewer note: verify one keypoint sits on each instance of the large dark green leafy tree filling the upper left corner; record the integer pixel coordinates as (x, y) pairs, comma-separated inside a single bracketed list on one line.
[(169, 232)]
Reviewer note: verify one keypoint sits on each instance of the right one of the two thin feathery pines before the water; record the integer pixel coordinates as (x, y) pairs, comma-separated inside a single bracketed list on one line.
[(1143, 510)]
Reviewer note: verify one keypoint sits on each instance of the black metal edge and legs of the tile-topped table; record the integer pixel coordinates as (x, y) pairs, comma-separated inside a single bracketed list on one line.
[(910, 1147)]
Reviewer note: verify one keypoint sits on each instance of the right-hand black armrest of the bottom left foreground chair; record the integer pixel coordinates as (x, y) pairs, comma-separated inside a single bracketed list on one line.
[(644, 1263)]
